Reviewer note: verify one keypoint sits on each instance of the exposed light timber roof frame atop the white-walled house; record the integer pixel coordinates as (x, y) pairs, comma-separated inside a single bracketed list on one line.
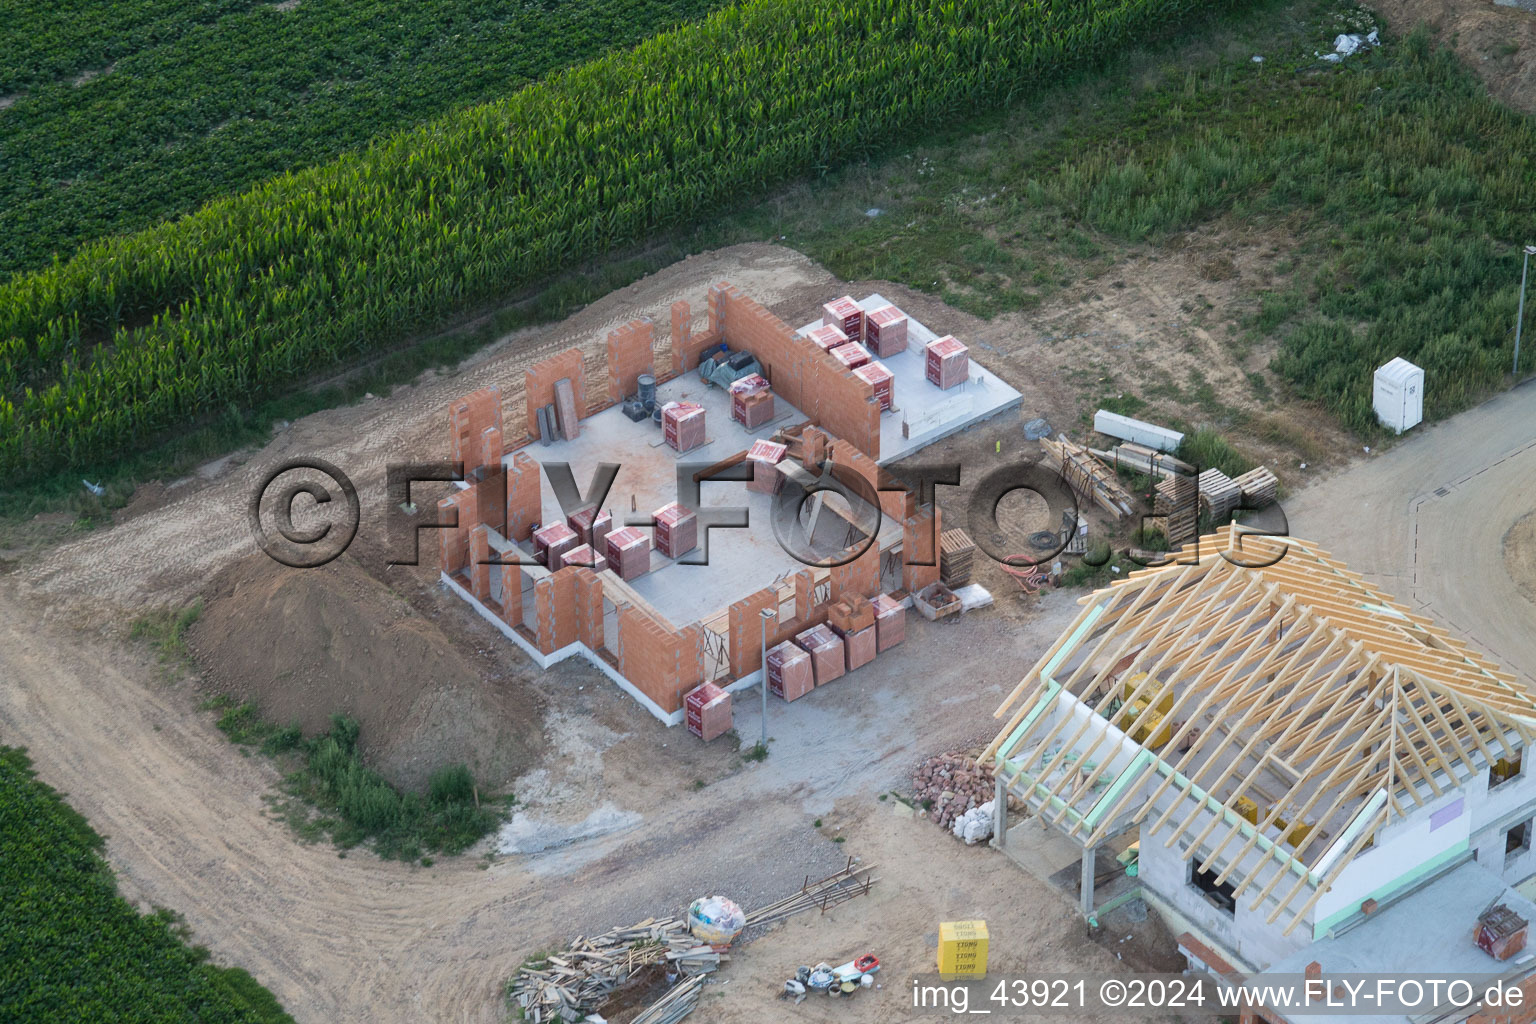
[(1306, 710)]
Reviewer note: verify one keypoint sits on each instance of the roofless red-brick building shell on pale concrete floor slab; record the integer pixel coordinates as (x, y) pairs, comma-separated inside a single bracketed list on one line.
[(621, 583)]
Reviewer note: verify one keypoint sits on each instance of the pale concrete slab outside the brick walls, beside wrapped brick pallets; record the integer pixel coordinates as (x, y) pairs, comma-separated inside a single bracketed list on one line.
[(930, 412)]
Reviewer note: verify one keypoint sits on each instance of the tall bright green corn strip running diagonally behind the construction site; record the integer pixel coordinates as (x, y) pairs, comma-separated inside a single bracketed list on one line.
[(139, 334)]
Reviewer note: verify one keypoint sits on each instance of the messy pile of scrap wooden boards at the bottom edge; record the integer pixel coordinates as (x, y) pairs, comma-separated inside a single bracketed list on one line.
[(572, 985)]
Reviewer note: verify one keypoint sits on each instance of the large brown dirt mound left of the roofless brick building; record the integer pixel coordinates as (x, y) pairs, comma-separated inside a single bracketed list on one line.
[(305, 644)]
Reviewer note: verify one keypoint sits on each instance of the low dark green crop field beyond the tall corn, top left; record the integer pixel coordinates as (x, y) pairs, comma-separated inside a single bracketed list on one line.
[(208, 97)]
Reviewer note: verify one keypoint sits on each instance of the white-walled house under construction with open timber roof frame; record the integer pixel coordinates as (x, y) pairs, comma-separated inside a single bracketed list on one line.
[(1305, 764)]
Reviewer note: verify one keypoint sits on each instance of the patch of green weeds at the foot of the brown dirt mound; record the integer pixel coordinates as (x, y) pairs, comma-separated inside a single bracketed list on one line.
[(356, 805)]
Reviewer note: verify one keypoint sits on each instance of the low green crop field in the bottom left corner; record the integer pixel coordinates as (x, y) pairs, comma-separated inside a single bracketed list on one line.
[(73, 950)]
